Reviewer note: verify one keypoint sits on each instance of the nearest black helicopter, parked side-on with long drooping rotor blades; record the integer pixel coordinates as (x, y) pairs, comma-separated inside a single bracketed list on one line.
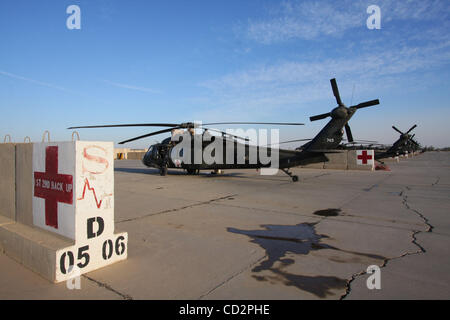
[(160, 155)]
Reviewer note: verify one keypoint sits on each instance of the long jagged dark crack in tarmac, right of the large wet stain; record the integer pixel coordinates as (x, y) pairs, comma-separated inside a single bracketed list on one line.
[(413, 236)]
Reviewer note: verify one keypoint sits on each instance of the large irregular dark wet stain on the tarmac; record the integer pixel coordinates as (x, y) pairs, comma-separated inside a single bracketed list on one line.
[(280, 240)]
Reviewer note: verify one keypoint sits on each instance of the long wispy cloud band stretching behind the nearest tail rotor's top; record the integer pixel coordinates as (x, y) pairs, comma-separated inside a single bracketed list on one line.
[(300, 82)]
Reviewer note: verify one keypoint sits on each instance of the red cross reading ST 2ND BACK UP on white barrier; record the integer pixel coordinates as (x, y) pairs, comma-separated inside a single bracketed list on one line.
[(53, 187)]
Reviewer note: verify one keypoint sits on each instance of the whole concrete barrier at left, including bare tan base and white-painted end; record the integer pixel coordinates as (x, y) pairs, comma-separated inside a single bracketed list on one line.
[(64, 202)]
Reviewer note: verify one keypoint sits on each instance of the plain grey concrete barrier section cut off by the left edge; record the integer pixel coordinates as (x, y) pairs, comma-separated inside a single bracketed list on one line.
[(7, 181)]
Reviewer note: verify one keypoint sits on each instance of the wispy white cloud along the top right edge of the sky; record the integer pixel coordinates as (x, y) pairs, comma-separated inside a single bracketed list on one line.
[(309, 20)]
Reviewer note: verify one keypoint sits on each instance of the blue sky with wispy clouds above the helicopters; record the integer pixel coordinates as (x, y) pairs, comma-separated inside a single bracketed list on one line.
[(177, 61)]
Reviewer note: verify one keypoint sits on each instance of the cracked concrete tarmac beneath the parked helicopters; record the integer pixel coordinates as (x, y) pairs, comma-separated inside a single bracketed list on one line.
[(245, 236)]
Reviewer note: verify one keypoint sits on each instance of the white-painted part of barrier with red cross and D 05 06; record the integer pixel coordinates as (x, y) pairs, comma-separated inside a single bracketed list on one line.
[(73, 196)]
